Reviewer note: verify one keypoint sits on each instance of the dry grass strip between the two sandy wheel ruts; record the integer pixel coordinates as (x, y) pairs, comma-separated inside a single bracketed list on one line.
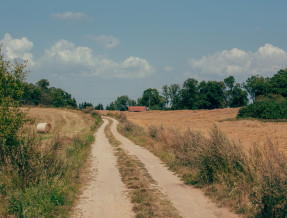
[(148, 201)]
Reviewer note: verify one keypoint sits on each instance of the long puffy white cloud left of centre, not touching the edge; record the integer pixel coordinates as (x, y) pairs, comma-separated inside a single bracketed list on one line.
[(79, 61)]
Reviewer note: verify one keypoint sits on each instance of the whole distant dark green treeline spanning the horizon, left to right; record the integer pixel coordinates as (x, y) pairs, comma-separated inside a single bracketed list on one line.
[(192, 94)]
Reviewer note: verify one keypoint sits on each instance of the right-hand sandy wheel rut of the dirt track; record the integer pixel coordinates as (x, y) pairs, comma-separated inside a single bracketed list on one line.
[(189, 201)]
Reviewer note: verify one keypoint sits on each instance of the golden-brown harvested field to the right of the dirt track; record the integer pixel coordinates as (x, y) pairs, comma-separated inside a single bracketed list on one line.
[(247, 132)]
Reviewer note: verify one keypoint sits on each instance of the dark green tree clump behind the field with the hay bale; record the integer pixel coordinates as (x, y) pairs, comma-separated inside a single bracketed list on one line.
[(41, 93)]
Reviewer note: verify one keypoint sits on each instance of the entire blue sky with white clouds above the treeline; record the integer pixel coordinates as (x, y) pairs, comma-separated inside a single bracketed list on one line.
[(99, 50)]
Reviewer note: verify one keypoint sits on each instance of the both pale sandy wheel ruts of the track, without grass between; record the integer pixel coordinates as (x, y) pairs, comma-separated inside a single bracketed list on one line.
[(106, 196)]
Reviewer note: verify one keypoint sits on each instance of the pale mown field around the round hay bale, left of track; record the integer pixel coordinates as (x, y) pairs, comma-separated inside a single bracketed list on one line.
[(64, 122)]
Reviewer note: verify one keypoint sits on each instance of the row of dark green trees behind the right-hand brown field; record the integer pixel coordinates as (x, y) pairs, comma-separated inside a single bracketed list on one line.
[(208, 94)]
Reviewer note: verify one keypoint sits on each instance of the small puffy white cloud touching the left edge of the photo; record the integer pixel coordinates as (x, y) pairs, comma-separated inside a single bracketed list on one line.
[(17, 48)]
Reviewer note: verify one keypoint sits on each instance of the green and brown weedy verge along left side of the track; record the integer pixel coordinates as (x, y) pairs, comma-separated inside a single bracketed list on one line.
[(44, 182)]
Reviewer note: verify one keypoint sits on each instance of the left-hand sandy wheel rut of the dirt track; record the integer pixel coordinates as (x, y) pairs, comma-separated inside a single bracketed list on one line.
[(105, 194)]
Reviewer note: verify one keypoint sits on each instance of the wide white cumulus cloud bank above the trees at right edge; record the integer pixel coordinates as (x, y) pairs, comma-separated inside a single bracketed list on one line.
[(266, 61)]
